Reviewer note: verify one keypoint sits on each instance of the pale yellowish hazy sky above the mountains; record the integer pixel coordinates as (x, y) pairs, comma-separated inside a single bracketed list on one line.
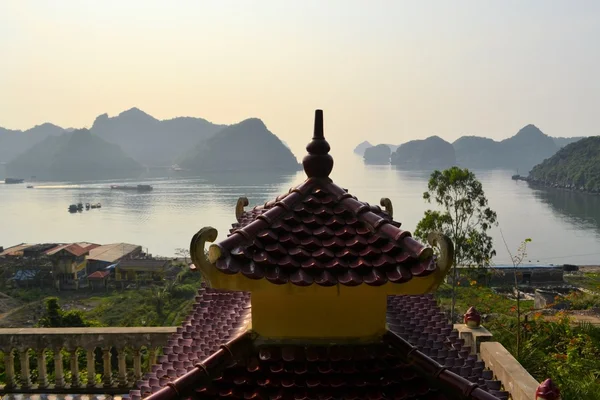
[(386, 71)]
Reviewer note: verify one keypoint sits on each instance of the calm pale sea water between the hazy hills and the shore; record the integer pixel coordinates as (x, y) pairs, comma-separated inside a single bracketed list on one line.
[(564, 226)]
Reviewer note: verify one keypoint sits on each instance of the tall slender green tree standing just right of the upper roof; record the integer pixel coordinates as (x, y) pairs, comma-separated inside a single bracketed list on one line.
[(463, 216)]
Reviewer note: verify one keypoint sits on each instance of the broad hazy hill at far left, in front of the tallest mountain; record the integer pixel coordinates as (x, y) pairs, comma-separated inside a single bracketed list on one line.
[(78, 155)]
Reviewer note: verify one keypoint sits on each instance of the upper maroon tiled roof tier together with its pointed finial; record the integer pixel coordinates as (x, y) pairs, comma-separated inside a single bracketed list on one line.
[(320, 234)]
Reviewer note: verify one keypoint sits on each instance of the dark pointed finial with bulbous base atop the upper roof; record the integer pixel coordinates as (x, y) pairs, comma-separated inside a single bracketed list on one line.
[(318, 163)]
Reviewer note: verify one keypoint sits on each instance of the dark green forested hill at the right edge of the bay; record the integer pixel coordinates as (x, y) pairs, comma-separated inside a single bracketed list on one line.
[(575, 166)]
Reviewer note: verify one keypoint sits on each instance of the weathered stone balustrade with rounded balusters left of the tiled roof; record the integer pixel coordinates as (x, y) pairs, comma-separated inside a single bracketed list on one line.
[(78, 360)]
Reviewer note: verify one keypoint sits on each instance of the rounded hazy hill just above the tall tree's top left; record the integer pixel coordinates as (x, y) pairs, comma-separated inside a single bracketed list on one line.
[(431, 153)]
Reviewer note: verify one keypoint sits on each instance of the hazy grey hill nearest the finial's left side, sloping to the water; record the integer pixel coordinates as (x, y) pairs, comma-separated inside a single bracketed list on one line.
[(246, 146)]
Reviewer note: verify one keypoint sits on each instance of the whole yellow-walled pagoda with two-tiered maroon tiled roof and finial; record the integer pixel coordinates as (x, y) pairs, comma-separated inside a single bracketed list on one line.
[(317, 295)]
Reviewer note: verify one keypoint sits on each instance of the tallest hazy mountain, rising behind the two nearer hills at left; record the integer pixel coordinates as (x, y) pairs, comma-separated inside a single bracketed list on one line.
[(151, 141)]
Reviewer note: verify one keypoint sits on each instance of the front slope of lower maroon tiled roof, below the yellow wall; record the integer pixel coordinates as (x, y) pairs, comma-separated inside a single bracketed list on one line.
[(388, 369)]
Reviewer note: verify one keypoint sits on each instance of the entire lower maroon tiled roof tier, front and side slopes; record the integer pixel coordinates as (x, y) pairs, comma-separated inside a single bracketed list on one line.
[(214, 356)]
